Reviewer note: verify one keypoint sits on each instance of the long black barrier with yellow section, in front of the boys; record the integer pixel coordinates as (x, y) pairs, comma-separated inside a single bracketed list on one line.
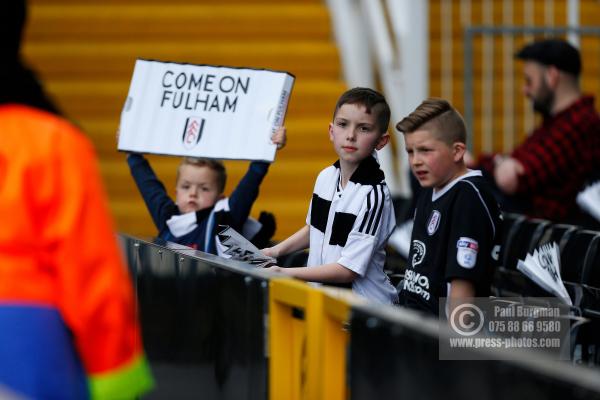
[(219, 329)]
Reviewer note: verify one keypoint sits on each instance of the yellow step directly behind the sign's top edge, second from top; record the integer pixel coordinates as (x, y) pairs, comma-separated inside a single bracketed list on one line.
[(115, 60)]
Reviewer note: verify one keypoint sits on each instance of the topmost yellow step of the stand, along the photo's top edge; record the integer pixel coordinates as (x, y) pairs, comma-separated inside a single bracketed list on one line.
[(91, 22)]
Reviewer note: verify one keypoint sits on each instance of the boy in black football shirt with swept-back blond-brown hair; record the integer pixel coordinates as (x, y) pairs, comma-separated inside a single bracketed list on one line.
[(455, 236)]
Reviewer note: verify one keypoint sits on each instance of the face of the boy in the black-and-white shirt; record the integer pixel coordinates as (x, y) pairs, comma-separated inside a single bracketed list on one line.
[(355, 133)]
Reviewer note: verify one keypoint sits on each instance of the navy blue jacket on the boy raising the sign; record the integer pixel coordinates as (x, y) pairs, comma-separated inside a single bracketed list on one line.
[(162, 207)]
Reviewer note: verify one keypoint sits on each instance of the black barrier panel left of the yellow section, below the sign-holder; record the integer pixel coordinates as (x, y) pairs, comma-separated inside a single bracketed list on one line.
[(203, 322)]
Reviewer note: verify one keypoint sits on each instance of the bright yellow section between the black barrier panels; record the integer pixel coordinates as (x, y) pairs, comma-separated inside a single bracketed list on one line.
[(307, 356)]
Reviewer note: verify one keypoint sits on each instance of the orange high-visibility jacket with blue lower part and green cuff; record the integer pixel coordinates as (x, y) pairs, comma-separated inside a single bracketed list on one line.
[(64, 289)]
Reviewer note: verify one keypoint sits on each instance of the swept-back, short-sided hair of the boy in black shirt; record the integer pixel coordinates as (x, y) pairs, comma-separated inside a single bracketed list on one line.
[(438, 116)]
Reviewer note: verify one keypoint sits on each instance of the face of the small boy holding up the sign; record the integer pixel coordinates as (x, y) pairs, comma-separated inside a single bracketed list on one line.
[(197, 188)]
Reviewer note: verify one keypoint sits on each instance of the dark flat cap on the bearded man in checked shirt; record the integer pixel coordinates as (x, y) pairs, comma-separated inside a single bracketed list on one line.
[(556, 52)]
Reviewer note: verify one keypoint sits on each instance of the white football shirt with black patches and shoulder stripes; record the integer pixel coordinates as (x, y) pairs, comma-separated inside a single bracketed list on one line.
[(351, 226)]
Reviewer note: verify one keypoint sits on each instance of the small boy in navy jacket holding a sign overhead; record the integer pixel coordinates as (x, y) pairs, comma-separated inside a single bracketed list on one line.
[(200, 206)]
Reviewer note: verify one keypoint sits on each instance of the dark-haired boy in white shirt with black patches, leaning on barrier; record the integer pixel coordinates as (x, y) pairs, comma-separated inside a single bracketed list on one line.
[(351, 215)]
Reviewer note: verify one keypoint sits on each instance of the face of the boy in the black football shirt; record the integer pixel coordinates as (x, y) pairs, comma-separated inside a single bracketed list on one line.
[(433, 162)]
